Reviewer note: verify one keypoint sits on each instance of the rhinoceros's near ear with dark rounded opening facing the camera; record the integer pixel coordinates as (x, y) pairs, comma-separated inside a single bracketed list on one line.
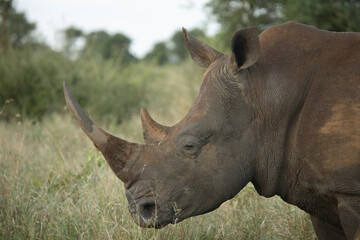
[(245, 48)]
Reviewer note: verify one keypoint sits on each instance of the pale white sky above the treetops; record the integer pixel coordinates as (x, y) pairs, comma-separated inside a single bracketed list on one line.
[(145, 22)]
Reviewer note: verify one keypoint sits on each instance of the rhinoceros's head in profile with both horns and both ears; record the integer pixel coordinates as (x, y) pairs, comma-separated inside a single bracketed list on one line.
[(194, 166)]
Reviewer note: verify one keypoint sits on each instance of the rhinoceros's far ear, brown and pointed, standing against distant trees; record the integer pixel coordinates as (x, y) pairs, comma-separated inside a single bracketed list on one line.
[(202, 54)]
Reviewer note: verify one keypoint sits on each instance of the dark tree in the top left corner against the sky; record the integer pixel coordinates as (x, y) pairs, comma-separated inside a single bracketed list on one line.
[(15, 29)]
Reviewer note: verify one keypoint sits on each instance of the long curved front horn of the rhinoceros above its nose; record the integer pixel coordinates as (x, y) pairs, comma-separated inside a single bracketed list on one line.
[(115, 150)]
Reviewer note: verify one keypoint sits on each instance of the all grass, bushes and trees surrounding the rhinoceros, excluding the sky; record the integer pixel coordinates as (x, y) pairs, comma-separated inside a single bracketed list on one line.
[(55, 185)]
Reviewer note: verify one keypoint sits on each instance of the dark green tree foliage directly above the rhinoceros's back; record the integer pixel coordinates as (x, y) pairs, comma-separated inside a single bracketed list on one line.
[(334, 15)]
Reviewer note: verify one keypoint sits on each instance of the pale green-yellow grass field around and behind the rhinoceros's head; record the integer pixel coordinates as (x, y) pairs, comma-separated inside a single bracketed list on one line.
[(54, 184)]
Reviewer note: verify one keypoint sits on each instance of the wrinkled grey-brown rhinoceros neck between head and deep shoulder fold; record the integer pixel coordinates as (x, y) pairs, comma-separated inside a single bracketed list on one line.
[(278, 94)]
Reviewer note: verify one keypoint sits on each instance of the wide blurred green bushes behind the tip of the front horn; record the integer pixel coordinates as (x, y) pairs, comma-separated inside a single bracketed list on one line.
[(33, 80)]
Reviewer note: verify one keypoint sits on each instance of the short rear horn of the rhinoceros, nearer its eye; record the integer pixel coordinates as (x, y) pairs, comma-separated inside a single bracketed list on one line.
[(153, 132)]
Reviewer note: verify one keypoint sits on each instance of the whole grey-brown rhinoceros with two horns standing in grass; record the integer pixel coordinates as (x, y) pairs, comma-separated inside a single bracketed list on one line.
[(281, 111)]
